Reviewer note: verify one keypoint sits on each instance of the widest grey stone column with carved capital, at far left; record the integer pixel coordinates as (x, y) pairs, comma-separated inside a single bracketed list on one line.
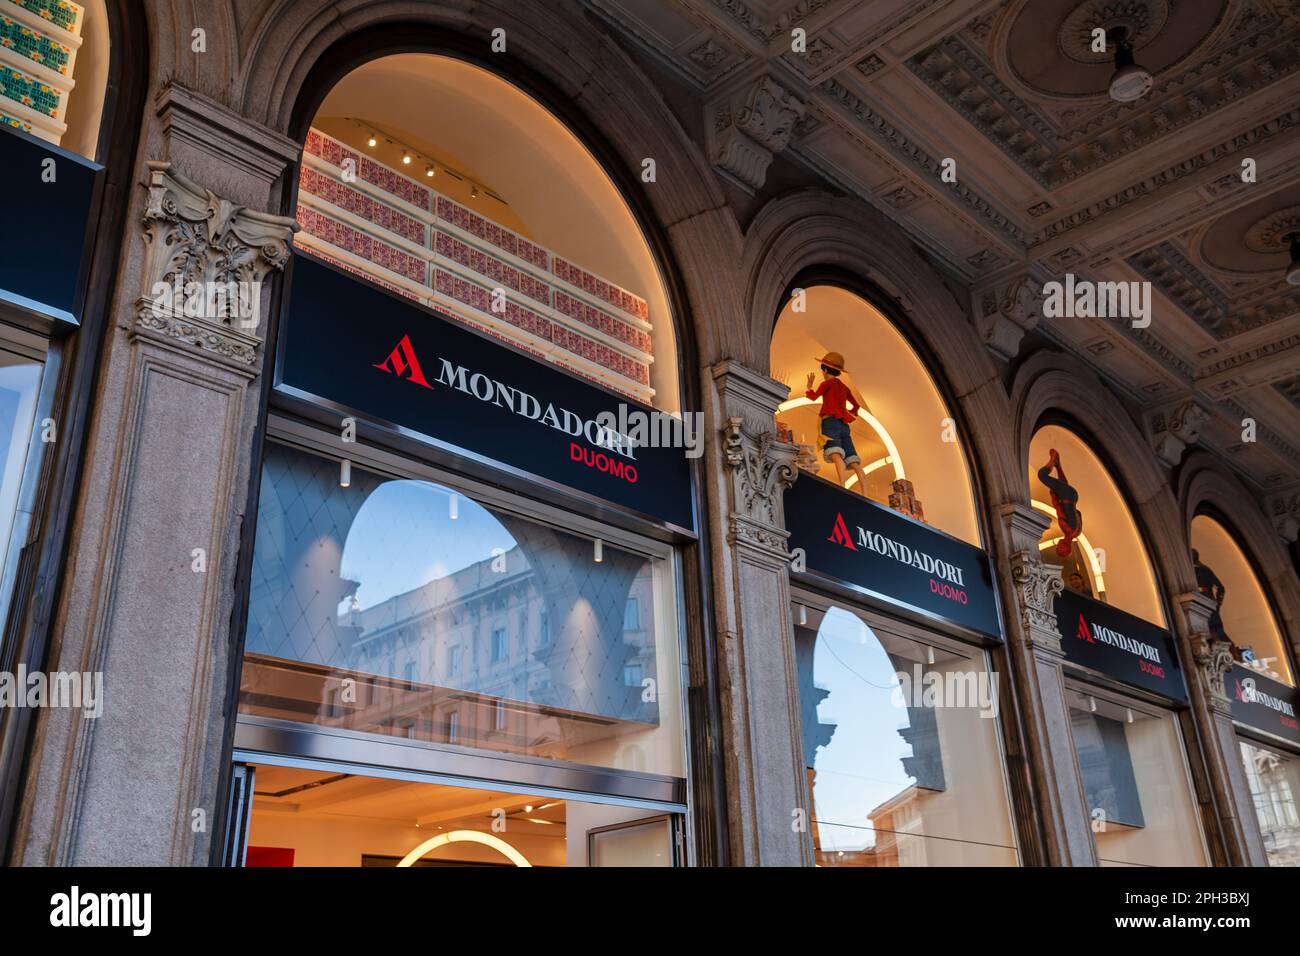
[(150, 594)]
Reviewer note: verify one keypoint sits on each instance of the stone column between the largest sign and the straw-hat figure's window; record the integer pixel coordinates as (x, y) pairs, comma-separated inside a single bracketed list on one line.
[(768, 793)]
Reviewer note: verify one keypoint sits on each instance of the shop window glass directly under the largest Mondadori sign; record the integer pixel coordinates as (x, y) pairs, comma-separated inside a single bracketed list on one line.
[(354, 582)]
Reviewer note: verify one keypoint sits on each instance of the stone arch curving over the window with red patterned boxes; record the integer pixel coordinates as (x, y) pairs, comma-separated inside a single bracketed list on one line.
[(566, 63)]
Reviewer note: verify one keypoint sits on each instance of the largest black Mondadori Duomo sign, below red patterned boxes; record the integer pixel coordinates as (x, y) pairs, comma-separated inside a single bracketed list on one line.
[(408, 367)]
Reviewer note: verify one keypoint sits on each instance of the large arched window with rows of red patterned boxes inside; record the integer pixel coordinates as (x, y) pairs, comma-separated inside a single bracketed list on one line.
[(450, 187)]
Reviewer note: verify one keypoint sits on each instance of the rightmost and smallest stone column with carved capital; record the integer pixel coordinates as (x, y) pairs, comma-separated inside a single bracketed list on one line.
[(1212, 708)]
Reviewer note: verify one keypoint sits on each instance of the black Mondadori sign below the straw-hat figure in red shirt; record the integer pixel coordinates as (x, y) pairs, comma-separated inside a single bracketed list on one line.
[(891, 557)]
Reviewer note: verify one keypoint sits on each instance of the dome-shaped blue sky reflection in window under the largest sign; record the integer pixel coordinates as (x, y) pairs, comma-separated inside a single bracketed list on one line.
[(405, 537)]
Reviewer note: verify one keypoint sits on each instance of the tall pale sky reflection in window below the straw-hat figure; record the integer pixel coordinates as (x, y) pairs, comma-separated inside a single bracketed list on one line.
[(861, 768)]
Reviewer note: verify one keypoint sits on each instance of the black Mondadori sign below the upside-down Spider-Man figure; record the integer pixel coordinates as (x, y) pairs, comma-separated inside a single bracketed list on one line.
[(1119, 644)]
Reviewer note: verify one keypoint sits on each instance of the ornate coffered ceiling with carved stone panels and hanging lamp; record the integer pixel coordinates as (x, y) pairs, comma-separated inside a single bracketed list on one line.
[(1052, 176)]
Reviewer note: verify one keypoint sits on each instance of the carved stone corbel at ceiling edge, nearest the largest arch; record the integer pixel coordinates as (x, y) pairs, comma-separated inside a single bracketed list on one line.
[(749, 127)]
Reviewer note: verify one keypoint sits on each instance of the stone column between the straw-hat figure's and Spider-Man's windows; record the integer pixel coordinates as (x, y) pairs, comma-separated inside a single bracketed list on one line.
[(1035, 646)]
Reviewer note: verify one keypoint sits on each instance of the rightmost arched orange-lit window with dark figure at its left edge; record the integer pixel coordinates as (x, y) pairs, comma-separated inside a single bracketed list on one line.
[(1245, 617)]
